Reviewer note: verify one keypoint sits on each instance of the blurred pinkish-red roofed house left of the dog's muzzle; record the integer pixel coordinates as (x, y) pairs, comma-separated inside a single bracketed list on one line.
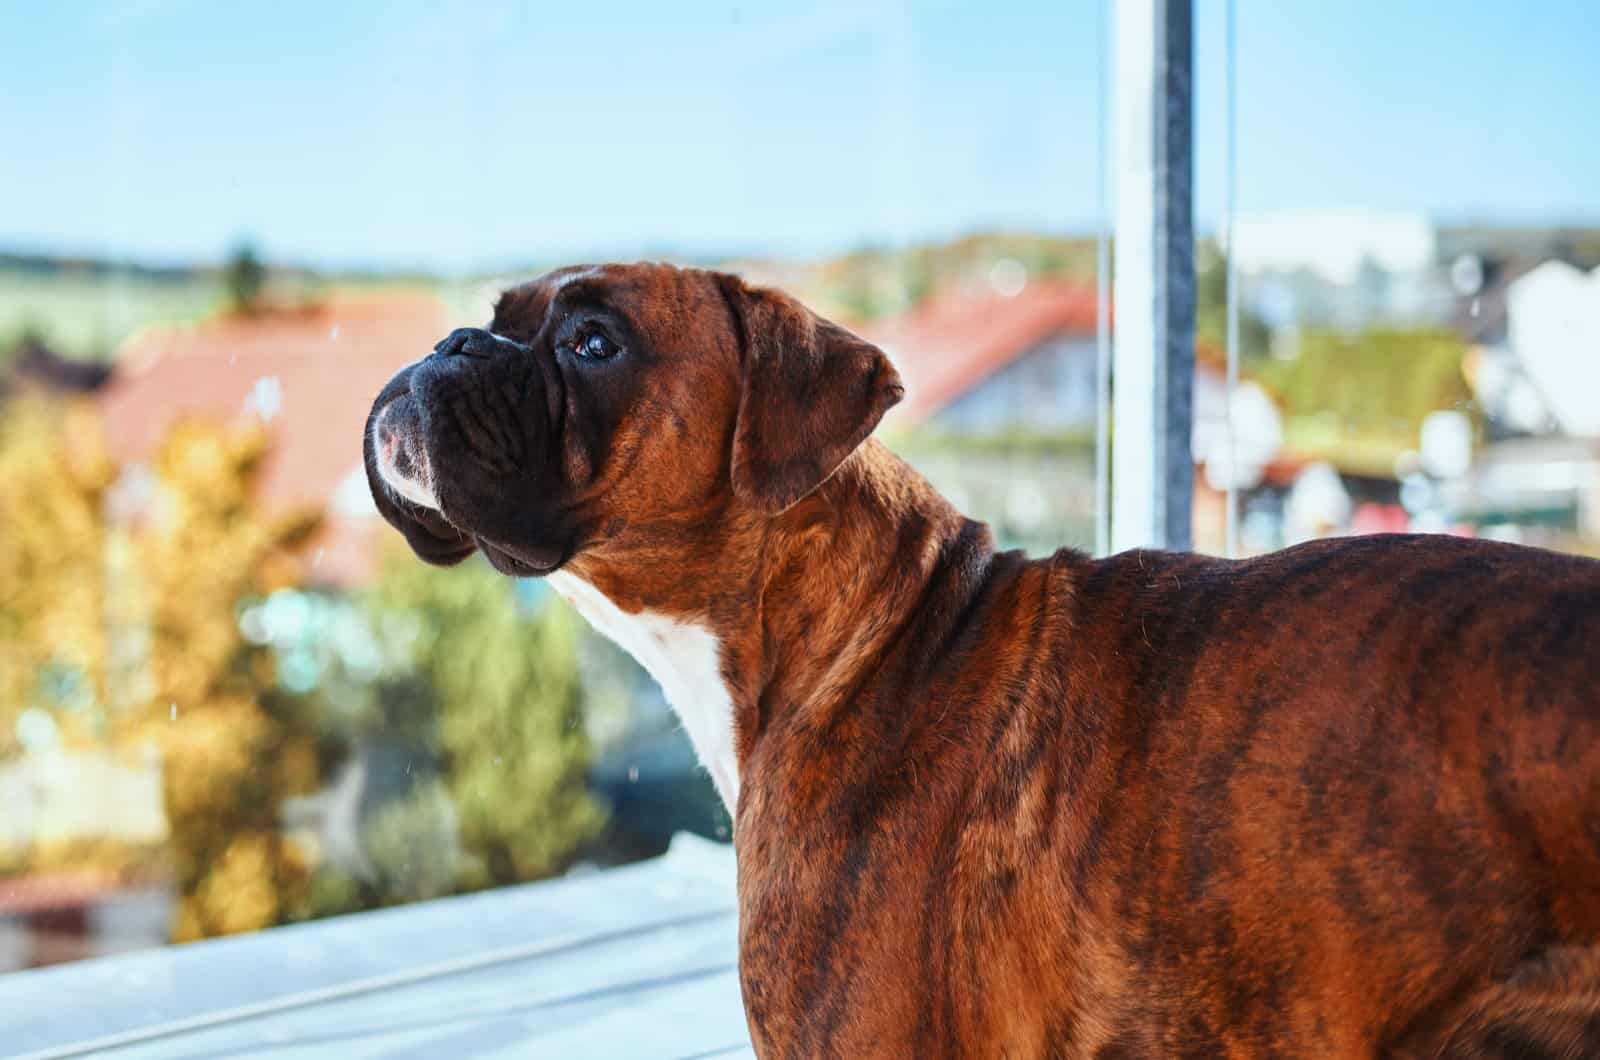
[(310, 375)]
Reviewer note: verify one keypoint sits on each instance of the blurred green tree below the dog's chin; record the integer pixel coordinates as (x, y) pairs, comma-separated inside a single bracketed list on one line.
[(498, 677)]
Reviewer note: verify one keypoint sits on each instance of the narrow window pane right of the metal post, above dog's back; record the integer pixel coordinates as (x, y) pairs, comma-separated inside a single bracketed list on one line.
[(1415, 247)]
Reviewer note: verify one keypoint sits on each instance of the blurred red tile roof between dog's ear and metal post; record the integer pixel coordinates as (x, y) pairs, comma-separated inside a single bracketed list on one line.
[(958, 339)]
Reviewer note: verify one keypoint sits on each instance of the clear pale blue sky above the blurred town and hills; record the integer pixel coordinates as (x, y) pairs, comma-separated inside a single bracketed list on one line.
[(462, 137)]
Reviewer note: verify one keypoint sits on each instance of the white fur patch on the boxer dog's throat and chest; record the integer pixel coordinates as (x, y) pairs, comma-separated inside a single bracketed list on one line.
[(686, 659)]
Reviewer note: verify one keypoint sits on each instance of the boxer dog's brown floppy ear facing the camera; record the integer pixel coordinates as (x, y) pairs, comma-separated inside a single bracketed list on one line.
[(812, 393)]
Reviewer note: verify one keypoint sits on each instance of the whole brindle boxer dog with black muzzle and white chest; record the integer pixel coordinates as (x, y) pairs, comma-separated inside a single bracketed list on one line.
[(1337, 801)]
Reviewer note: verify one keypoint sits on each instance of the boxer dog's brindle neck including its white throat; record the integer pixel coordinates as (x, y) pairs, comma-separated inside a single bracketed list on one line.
[(785, 616)]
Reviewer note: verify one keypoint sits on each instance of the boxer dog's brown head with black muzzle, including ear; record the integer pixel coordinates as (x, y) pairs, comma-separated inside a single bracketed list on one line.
[(614, 408)]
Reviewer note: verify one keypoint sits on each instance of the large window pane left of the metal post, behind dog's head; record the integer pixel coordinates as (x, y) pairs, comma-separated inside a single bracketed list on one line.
[(230, 697)]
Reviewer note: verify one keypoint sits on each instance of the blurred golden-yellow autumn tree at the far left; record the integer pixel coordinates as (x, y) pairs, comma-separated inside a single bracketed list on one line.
[(135, 616)]
